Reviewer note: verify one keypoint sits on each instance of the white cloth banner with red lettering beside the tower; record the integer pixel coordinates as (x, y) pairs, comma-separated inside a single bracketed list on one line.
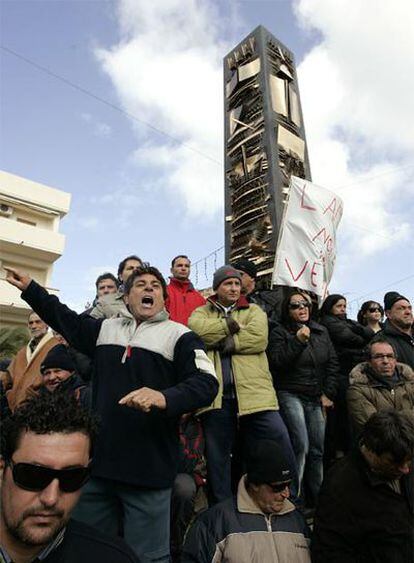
[(306, 251)]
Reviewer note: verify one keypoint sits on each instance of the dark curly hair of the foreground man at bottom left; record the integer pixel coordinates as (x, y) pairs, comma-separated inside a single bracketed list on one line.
[(47, 413)]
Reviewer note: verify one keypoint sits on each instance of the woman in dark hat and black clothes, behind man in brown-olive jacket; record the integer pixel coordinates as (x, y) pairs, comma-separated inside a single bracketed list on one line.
[(349, 339)]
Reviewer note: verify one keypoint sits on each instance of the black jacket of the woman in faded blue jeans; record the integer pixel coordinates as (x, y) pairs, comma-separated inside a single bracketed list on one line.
[(310, 369)]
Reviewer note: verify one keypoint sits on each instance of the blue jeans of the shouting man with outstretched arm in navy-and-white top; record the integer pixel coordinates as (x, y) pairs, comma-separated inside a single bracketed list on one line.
[(144, 513)]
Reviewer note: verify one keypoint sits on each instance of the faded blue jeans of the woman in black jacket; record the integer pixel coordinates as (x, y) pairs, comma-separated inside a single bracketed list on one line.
[(306, 424)]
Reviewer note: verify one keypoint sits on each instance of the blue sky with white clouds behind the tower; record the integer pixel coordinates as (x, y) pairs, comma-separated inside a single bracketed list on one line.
[(120, 104)]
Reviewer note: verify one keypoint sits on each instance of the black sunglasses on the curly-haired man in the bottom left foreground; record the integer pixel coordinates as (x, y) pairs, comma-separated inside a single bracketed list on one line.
[(35, 478)]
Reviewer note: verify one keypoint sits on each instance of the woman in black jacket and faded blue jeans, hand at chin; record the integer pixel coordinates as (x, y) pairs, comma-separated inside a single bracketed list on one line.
[(305, 371)]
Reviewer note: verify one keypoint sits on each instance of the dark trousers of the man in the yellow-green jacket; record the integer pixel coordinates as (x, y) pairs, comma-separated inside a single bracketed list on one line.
[(220, 430)]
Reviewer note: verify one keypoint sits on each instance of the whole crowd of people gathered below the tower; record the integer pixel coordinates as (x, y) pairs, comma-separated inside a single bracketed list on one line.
[(159, 425)]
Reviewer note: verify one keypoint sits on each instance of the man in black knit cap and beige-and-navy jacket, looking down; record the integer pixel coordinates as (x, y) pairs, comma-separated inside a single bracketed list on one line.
[(259, 523)]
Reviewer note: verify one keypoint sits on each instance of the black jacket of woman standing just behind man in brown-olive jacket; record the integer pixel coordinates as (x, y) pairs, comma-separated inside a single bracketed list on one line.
[(349, 339)]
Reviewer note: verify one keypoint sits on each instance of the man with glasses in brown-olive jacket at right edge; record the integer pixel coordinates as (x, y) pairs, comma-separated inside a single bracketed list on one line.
[(380, 383)]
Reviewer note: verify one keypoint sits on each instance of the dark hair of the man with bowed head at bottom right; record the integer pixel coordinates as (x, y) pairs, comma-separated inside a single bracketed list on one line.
[(390, 431)]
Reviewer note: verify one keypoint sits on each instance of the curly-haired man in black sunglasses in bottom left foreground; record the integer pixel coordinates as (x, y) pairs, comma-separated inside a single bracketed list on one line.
[(46, 451)]
